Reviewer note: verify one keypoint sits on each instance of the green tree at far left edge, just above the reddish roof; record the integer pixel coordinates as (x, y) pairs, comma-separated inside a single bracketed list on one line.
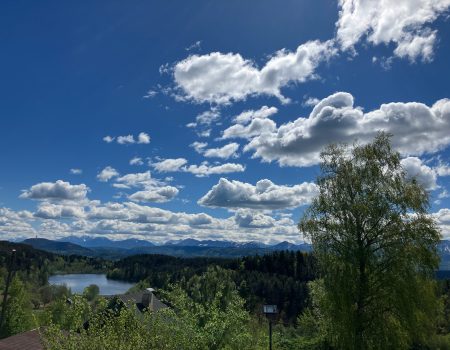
[(18, 316)]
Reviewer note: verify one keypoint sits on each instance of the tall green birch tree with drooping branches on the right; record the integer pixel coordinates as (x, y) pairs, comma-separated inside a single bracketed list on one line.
[(376, 247)]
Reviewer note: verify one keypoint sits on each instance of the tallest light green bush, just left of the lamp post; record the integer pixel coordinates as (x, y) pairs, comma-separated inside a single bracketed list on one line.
[(210, 304)]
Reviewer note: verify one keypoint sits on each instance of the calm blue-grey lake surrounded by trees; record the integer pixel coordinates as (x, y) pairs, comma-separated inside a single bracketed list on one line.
[(77, 283)]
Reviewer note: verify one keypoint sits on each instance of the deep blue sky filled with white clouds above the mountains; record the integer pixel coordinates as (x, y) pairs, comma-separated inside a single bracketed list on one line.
[(166, 120)]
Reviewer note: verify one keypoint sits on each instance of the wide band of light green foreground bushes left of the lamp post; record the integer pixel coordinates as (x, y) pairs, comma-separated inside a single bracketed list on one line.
[(206, 313)]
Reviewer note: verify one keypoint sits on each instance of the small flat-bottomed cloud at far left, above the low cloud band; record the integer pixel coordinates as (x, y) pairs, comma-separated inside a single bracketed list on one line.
[(59, 190)]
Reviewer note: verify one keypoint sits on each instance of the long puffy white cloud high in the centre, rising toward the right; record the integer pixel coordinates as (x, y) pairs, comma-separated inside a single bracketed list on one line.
[(221, 78)]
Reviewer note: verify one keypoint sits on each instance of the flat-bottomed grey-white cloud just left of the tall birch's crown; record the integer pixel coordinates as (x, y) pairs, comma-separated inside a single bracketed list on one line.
[(264, 195)]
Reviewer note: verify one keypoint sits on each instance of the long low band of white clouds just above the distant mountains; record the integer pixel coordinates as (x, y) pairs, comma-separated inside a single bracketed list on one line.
[(126, 220)]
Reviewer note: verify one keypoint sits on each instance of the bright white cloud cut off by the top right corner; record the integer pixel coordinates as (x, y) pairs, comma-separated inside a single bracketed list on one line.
[(404, 23)]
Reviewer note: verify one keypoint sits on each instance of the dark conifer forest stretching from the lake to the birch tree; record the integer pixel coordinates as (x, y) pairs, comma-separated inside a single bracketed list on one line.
[(278, 278)]
